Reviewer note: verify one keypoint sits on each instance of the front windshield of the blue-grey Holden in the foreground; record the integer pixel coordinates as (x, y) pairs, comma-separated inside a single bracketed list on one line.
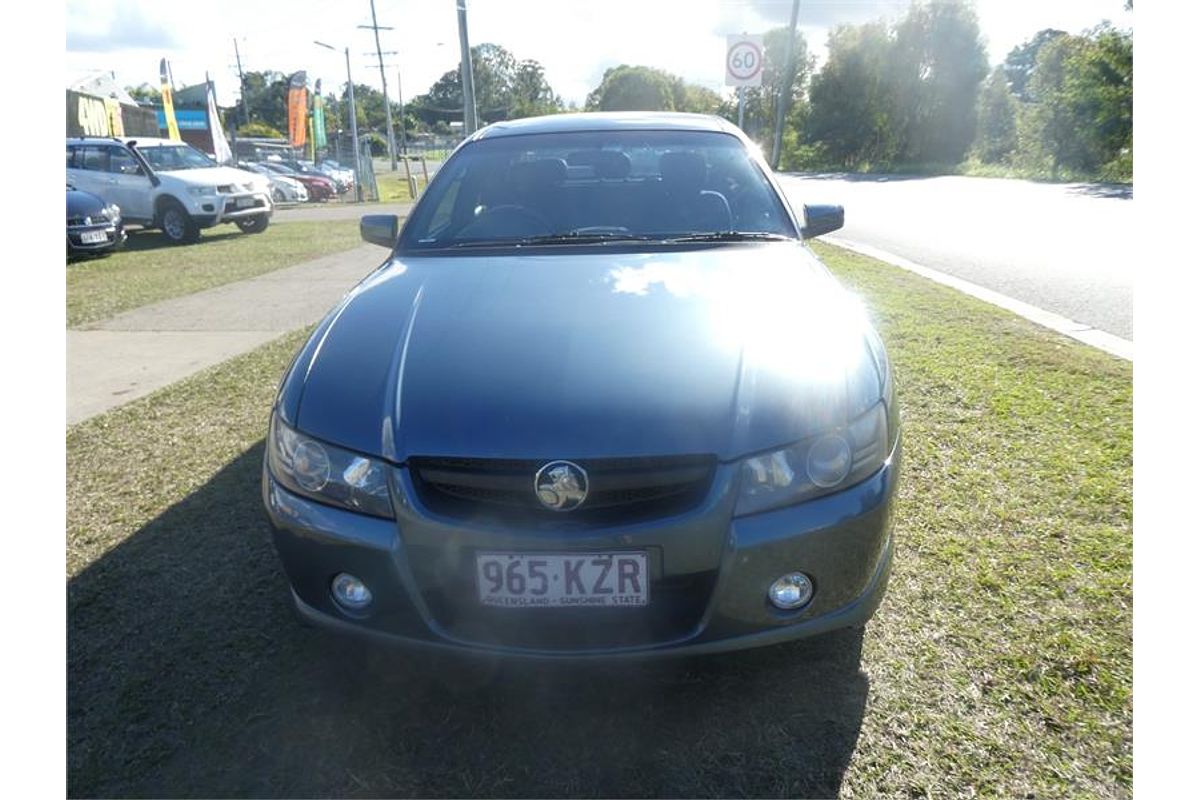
[(598, 187)]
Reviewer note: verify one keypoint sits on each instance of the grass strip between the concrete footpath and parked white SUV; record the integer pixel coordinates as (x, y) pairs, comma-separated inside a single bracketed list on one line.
[(151, 269)]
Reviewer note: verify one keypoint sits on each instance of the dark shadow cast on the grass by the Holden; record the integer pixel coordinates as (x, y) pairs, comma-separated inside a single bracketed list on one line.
[(189, 677)]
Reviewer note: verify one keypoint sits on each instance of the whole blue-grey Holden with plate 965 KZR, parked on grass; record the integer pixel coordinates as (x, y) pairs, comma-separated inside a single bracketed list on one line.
[(601, 401)]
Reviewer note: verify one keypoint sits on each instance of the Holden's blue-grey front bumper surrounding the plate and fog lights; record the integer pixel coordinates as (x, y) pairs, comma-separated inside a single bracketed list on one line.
[(843, 542)]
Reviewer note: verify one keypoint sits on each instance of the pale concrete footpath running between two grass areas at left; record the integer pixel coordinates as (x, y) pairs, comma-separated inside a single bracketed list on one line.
[(113, 362)]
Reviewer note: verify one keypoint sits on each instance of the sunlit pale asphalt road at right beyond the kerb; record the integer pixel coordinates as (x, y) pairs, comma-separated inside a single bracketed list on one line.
[(1063, 248)]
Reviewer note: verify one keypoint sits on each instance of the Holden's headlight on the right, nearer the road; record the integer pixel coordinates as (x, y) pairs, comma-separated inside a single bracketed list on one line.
[(817, 466)]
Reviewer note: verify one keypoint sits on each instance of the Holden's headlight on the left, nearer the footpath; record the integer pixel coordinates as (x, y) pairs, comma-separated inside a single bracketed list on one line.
[(326, 473)]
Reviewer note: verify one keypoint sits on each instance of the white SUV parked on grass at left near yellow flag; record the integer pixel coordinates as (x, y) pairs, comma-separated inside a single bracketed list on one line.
[(169, 185)]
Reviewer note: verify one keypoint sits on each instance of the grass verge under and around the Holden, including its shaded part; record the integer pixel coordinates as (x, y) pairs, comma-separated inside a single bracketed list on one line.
[(1000, 664)]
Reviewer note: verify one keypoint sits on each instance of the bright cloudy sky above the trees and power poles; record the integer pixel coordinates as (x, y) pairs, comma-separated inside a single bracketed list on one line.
[(574, 40)]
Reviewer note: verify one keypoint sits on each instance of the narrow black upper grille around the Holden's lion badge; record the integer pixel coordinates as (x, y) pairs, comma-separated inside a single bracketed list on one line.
[(619, 489)]
